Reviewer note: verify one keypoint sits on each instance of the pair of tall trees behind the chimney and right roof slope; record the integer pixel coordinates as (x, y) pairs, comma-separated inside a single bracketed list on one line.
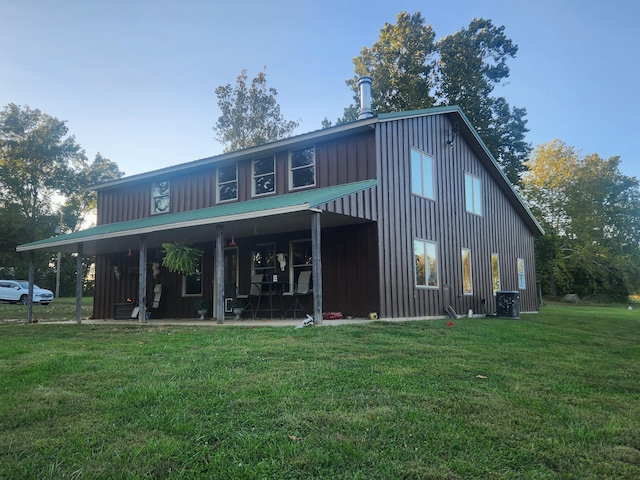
[(410, 70)]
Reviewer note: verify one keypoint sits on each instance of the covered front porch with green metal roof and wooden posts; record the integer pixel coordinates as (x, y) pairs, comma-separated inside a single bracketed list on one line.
[(279, 236)]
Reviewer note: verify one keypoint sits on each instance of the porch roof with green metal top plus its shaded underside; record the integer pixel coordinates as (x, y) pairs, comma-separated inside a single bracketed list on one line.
[(276, 214)]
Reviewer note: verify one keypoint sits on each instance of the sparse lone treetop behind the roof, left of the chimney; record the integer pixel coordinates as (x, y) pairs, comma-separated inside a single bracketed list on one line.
[(250, 114)]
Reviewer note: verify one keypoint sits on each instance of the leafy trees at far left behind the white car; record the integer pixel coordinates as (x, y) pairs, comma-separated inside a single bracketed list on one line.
[(39, 163)]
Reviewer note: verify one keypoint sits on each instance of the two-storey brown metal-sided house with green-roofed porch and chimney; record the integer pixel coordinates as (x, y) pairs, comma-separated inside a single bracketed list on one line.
[(403, 214)]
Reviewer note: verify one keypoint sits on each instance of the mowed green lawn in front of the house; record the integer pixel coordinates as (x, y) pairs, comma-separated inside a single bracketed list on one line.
[(552, 395)]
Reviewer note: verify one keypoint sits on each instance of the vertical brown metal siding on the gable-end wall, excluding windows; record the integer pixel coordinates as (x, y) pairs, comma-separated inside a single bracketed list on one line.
[(404, 217)]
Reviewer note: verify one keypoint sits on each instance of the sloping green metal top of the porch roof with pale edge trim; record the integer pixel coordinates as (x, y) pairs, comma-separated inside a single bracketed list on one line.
[(306, 199)]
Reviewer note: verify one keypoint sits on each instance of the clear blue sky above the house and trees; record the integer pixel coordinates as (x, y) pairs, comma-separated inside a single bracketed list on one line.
[(135, 80)]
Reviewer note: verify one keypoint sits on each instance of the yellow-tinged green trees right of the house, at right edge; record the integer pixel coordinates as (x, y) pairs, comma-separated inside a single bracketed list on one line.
[(591, 215)]
